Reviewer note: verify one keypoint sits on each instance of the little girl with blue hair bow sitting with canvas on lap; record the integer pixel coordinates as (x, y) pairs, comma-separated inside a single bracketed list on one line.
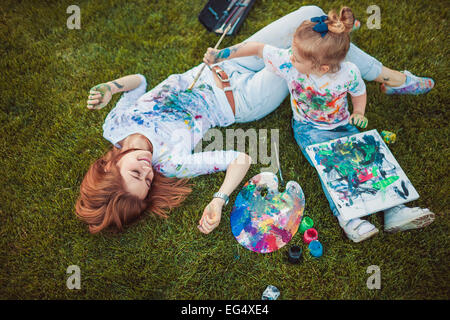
[(319, 79)]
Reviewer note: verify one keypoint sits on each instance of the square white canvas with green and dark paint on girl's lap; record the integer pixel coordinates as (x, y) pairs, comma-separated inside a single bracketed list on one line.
[(361, 174)]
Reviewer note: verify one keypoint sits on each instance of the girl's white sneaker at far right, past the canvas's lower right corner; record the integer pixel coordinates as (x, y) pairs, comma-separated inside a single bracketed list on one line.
[(401, 218)]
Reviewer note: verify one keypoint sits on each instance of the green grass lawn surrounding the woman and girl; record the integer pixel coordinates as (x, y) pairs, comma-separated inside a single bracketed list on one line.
[(49, 139)]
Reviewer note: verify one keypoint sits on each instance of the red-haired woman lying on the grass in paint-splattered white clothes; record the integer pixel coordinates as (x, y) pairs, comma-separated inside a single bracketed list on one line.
[(153, 133)]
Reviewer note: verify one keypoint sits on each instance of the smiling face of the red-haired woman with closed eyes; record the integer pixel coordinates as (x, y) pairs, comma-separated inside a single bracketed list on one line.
[(136, 169)]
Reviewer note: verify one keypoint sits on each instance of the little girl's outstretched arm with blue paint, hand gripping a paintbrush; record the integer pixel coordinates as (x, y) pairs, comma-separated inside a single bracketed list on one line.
[(243, 49)]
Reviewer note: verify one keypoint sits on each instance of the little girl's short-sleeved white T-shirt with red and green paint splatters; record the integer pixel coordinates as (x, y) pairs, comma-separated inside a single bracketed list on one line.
[(318, 101)]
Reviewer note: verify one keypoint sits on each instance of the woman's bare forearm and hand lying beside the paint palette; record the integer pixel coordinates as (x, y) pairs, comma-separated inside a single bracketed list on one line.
[(213, 212)]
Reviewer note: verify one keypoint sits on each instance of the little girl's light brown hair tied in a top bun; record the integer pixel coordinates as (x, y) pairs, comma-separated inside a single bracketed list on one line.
[(333, 47)]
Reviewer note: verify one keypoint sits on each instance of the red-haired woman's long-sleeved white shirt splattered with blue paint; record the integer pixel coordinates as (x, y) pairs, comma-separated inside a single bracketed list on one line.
[(174, 121)]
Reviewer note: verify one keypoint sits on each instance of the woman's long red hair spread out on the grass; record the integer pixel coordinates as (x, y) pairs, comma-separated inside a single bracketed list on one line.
[(104, 201)]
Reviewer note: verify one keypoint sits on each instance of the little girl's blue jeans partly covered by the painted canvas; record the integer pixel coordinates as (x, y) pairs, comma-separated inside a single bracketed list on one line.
[(306, 135)]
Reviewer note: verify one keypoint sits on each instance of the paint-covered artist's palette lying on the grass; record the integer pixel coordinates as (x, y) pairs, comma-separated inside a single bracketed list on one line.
[(264, 219)]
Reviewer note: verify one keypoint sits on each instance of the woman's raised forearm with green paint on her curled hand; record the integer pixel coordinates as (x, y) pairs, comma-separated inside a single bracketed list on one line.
[(101, 94)]
